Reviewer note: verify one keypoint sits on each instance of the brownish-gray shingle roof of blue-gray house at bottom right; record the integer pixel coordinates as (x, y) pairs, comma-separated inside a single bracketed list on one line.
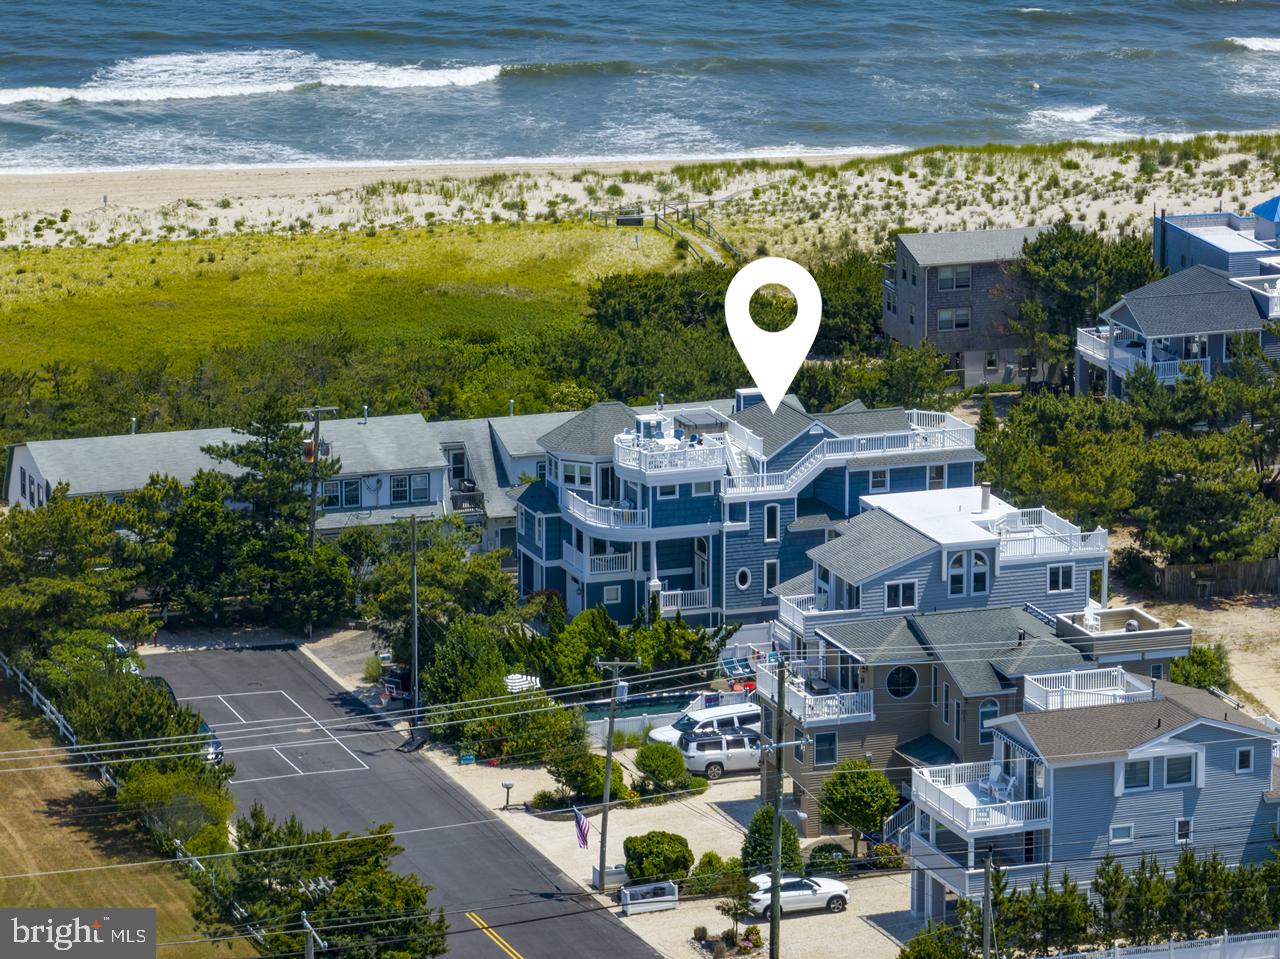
[(1103, 732)]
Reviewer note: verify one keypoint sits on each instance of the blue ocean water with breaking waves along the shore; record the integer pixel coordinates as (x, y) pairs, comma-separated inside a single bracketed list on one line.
[(126, 84)]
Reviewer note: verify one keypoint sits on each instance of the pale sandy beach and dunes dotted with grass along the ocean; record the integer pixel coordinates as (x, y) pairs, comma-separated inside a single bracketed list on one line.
[(771, 207)]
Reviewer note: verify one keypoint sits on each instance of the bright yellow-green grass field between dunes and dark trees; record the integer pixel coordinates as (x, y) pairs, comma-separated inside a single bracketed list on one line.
[(120, 303)]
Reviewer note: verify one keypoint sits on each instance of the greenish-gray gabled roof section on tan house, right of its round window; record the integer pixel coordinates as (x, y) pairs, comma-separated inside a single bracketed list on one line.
[(972, 641)]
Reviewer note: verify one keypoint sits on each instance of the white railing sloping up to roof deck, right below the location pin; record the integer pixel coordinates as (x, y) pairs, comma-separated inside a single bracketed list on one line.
[(949, 433)]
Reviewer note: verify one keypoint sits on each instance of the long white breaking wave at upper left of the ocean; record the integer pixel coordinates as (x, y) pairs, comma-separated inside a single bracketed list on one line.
[(244, 74)]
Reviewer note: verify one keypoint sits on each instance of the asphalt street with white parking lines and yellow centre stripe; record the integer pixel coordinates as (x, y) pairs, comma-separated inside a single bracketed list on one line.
[(483, 874)]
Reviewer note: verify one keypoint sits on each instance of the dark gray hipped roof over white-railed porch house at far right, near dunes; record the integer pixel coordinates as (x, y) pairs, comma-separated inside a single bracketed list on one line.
[(1196, 300)]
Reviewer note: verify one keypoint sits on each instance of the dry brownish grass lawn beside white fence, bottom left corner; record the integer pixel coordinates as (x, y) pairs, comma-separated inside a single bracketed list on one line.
[(57, 819)]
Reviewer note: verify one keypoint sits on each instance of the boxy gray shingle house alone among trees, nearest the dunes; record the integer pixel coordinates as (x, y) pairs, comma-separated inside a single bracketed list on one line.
[(956, 291)]
